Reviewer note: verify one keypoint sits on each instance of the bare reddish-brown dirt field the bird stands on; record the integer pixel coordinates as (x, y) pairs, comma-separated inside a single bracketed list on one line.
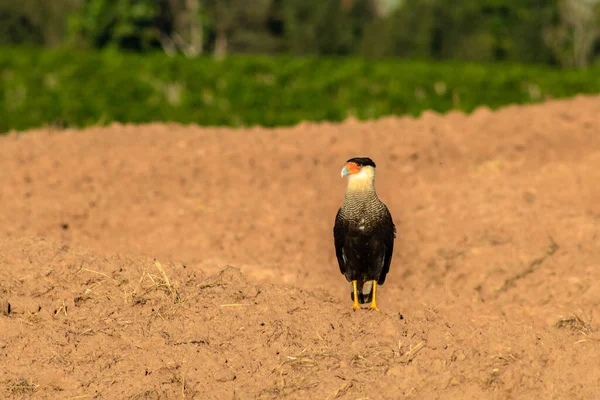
[(493, 291)]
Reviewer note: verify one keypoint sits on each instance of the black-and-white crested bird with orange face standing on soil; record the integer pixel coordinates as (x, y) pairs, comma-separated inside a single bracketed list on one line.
[(364, 233)]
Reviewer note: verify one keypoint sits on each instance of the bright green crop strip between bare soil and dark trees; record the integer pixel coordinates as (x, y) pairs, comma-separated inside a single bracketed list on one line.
[(85, 88)]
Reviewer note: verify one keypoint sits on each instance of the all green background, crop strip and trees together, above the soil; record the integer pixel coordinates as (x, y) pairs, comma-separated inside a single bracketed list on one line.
[(240, 62)]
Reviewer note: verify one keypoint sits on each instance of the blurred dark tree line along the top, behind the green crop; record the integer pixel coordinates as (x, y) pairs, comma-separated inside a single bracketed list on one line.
[(556, 32)]
